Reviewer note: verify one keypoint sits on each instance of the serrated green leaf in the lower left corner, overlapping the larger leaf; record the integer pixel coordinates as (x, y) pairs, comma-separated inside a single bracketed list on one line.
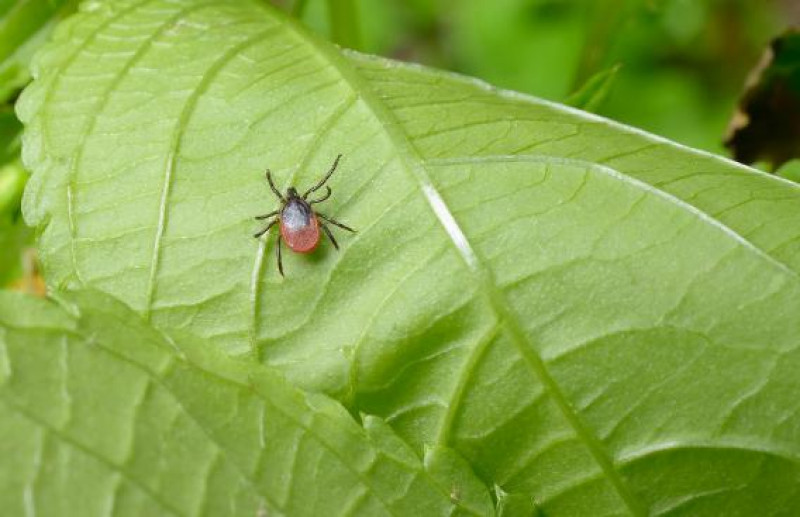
[(99, 415)]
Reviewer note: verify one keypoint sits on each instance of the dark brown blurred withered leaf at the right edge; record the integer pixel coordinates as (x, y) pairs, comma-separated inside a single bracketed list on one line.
[(767, 126)]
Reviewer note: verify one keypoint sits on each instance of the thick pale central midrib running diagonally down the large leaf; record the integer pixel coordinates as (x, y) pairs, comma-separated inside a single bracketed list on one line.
[(414, 165)]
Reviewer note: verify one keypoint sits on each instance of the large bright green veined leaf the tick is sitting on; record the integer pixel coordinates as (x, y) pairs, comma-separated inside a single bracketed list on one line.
[(593, 316)]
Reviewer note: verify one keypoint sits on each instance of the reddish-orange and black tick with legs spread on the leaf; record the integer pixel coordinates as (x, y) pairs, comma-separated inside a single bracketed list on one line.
[(299, 223)]
